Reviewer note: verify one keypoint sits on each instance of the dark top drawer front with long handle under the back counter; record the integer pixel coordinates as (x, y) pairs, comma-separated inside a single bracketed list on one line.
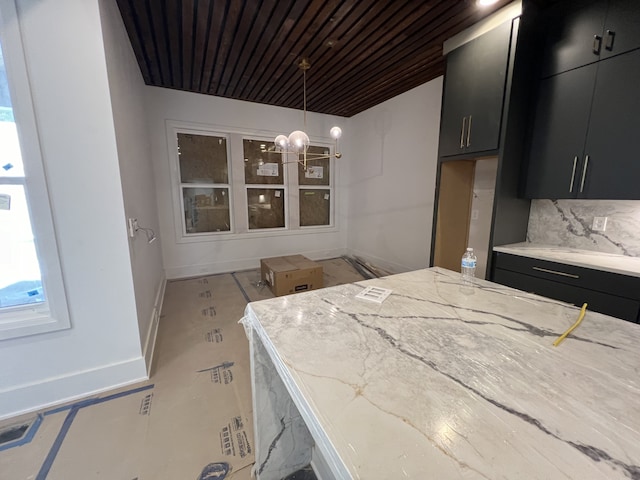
[(591, 279)]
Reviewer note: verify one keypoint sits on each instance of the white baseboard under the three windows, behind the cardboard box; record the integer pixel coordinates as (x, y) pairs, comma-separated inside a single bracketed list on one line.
[(189, 271)]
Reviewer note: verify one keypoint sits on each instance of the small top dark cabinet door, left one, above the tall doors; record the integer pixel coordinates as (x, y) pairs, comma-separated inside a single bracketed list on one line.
[(573, 35)]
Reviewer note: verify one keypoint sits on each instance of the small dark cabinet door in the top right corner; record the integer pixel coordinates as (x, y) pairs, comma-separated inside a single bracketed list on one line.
[(622, 28)]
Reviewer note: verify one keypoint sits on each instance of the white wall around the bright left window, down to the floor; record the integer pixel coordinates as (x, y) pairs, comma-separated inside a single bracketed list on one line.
[(67, 68)]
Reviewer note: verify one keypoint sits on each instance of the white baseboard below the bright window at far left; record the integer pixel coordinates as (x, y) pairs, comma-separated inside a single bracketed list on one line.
[(54, 391)]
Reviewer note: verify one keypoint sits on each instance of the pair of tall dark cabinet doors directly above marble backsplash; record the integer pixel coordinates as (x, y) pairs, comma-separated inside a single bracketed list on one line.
[(584, 133)]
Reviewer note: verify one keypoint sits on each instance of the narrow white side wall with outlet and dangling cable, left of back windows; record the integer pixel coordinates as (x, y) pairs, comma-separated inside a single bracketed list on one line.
[(136, 170)]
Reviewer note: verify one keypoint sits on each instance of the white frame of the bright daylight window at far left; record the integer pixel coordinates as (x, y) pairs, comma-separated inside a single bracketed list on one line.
[(52, 314)]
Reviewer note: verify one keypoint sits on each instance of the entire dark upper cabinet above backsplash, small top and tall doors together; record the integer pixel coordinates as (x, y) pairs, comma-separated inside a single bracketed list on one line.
[(582, 142)]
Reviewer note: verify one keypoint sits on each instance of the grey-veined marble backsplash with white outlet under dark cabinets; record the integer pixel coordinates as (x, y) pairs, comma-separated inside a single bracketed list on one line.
[(567, 223)]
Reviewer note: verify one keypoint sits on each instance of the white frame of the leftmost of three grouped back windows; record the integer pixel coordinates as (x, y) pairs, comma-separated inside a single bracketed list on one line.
[(173, 148)]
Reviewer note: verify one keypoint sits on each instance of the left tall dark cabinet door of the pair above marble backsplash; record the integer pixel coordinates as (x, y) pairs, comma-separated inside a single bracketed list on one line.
[(559, 133)]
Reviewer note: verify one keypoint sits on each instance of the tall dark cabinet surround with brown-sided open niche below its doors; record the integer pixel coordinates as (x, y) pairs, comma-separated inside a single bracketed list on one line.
[(496, 75)]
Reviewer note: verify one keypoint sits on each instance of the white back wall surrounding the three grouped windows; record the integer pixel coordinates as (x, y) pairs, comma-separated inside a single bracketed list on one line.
[(244, 252)]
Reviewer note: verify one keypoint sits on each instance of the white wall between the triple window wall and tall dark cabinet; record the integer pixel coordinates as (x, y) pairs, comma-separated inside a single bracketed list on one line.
[(392, 171)]
